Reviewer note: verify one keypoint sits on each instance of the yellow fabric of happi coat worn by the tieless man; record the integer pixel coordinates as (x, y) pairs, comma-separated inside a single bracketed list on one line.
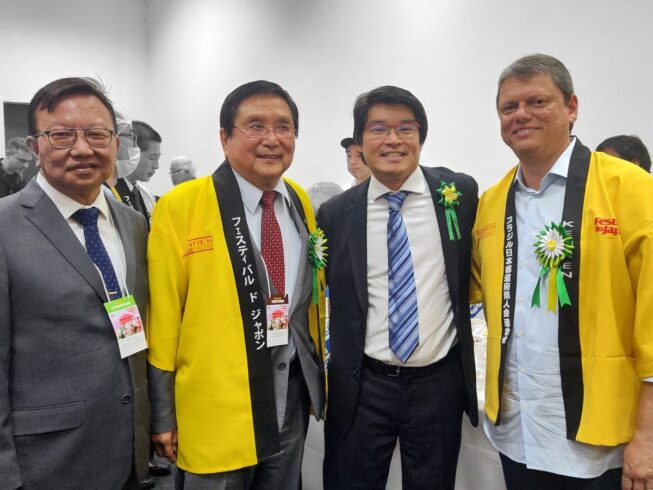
[(615, 296)]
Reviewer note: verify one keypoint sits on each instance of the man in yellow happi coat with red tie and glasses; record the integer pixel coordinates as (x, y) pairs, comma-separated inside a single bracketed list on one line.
[(236, 316)]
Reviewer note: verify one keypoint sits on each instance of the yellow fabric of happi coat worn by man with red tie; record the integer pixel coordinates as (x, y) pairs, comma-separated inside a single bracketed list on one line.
[(195, 328)]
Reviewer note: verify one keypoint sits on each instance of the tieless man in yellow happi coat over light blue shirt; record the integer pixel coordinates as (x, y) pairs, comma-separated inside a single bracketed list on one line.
[(563, 255)]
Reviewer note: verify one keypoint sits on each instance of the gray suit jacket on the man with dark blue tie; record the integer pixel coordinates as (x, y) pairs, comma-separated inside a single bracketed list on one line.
[(73, 415)]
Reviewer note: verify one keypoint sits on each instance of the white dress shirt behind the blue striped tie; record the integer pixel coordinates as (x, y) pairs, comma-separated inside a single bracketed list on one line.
[(437, 333)]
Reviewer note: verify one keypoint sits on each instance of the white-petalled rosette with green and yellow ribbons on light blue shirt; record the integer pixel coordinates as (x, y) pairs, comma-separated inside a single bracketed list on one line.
[(553, 245)]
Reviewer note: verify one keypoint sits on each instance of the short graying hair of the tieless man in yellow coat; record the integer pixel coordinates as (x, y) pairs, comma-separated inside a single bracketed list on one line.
[(535, 64)]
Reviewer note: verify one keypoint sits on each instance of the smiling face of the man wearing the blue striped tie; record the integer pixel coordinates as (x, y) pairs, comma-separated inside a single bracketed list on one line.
[(391, 158)]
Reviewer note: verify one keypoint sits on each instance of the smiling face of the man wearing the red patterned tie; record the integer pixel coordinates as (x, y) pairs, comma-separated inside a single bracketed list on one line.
[(260, 161)]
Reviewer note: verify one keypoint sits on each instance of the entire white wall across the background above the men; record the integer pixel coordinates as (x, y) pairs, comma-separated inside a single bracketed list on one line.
[(172, 62)]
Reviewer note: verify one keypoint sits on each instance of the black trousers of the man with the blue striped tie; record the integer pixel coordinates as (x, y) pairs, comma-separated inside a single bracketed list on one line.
[(422, 409)]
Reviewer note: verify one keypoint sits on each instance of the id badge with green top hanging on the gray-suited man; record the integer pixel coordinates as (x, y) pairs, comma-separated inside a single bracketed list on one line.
[(127, 324)]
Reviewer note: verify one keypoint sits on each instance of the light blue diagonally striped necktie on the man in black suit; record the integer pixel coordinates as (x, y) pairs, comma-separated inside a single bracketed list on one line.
[(402, 293)]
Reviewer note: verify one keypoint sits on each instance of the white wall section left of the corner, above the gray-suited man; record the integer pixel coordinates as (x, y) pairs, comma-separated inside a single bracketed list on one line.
[(43, 40)]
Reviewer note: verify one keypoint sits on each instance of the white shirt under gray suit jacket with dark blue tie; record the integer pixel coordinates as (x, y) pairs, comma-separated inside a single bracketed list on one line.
[(108, 232)]
